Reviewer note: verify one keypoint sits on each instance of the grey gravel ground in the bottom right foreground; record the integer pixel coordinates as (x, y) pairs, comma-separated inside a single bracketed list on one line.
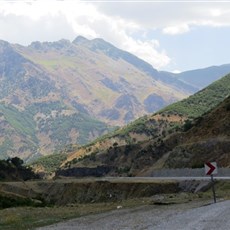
[(170, 217)]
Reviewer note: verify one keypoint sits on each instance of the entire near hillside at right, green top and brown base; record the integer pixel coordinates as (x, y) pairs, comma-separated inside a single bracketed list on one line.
[(184, 134)]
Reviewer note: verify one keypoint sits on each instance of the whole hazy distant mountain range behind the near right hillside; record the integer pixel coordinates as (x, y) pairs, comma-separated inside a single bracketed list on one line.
[(53, 94)]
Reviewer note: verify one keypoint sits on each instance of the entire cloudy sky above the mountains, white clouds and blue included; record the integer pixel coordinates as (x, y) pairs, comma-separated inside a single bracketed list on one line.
[(170, 35)]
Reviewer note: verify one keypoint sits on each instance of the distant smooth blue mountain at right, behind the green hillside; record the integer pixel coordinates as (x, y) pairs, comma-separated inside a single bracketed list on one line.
[(201, 78)]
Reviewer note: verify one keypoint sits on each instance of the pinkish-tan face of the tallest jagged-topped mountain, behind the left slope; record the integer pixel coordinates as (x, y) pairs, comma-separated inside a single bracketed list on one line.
[(112, 85)]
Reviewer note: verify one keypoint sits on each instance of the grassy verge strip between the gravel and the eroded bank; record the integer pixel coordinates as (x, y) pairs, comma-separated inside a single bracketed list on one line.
[(22, 218)]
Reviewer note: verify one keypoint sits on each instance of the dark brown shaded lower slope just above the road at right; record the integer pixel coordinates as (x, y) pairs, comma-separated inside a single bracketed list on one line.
[(207, 140)]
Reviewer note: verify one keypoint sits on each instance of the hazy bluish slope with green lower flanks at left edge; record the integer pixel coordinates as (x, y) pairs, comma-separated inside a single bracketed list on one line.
[(35, 116)]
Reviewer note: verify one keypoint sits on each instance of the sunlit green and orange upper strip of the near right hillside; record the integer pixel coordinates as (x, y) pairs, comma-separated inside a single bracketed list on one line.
[(154, 128)]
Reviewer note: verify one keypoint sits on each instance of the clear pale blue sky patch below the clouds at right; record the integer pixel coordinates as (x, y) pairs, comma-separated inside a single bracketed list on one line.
[(199, 48)]
